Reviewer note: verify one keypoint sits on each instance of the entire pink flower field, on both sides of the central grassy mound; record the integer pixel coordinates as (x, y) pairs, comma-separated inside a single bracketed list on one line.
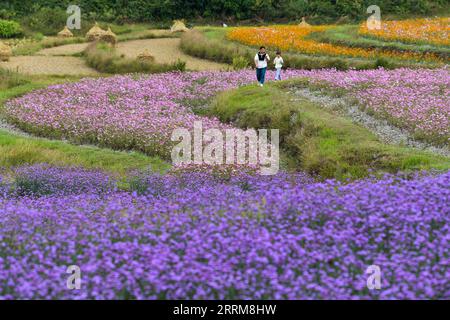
[(141, 112)]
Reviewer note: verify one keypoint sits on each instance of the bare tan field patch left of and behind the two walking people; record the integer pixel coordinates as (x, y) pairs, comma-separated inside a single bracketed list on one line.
[(166, 50)]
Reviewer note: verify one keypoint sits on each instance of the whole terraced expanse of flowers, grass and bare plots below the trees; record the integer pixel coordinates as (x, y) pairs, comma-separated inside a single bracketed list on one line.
[(89, 179)]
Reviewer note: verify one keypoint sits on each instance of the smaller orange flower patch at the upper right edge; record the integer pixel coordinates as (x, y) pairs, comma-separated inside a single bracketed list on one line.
[(435, 31)]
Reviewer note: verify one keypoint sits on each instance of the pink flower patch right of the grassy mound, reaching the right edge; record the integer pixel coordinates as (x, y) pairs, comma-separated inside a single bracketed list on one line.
[(417, 100)]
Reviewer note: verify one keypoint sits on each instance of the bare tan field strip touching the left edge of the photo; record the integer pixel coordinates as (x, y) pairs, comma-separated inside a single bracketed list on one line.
[(50, 65)]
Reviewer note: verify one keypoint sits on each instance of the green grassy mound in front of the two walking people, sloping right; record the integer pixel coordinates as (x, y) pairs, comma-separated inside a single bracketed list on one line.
[(315, 140)]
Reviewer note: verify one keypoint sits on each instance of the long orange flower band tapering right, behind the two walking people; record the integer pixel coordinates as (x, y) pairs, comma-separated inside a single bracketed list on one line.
[(294, 38)]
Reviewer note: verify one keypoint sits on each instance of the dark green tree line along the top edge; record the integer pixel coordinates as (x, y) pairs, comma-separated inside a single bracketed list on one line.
[(222, 10)]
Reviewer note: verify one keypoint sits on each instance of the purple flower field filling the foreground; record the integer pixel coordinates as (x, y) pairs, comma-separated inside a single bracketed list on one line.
[(195, 236)]
